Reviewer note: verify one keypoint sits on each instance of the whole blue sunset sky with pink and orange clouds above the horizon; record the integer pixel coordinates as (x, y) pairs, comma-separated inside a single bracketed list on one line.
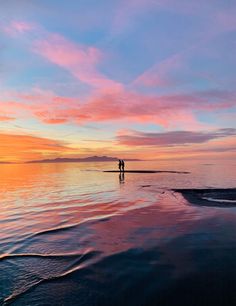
[(147, 79)]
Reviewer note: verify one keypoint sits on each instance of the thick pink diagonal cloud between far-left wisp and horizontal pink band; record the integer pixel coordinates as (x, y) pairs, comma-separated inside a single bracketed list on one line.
[(80, 61)]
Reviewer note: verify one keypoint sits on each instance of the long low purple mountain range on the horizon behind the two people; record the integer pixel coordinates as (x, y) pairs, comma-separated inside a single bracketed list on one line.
[(79, 160)]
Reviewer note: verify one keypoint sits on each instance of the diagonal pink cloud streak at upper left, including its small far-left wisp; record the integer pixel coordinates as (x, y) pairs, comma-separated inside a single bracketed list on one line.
[(79, 60)]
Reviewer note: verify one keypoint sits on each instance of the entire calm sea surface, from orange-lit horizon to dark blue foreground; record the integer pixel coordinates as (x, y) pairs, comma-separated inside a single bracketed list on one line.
[(71, 234)]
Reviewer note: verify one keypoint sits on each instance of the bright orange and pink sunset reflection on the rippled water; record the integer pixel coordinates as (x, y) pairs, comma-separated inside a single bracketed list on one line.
[(42, 197)]
